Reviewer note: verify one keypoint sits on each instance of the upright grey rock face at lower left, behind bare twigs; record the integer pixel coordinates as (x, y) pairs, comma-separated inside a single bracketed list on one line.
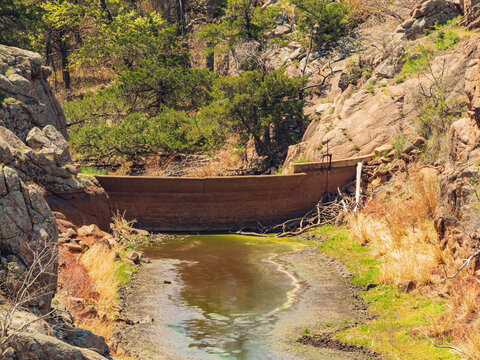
[(28, 239)]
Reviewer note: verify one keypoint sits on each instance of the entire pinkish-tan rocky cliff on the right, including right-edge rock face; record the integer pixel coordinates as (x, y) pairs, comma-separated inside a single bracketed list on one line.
[(356, 113)]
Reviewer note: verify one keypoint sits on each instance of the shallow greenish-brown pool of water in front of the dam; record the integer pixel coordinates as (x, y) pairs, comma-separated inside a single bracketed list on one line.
[(233, 284)]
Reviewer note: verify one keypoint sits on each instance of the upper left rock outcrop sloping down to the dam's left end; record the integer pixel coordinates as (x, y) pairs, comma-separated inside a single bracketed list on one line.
[(32, 139)]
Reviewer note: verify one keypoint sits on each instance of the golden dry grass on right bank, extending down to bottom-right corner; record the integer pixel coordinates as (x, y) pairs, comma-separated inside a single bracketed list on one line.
[(397, 227)]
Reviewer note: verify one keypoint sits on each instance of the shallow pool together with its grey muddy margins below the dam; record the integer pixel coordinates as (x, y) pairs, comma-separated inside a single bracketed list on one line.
[(231, 297)]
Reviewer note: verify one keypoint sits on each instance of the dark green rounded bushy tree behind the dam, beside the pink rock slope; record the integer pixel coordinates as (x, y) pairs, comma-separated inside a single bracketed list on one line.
[(264, 107)]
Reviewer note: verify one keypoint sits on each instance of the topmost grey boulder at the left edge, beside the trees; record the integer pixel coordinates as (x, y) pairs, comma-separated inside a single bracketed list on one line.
[(26, 99)]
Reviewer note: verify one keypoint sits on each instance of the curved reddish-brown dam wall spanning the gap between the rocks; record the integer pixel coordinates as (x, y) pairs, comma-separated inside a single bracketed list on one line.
[(223, 203)]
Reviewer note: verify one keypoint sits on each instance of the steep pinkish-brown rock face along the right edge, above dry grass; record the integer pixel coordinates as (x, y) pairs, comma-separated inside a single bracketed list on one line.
[(457, 219)]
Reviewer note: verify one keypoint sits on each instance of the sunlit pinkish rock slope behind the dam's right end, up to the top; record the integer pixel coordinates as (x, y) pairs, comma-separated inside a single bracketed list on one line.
[(367, 100)]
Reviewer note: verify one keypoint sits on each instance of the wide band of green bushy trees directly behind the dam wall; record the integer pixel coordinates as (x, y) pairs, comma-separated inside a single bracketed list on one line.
[(264, 107)]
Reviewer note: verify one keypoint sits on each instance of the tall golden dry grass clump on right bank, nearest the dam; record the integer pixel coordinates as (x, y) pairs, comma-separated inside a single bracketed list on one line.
[(403, 235)]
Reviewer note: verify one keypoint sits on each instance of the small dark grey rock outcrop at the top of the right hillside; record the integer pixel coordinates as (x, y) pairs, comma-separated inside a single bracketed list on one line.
[(425, 16)]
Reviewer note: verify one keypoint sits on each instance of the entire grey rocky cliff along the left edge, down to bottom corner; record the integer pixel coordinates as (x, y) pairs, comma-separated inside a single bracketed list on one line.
[(36, 177)]
